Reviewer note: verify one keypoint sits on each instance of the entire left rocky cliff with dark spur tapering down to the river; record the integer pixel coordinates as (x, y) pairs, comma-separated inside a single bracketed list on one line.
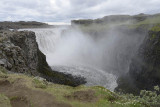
[(19, 53)]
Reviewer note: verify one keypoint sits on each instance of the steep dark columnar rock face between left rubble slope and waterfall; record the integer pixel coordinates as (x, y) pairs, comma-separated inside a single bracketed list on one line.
[(27, 42)]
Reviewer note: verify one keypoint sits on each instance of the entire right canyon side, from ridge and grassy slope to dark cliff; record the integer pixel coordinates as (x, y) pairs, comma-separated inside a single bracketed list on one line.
[(144, 66)]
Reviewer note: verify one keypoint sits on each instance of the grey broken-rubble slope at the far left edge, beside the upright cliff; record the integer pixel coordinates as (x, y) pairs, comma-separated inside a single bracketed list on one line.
[(11, 56)]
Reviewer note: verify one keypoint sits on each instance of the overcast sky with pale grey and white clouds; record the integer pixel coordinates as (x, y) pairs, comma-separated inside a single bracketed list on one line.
[(66, 10)]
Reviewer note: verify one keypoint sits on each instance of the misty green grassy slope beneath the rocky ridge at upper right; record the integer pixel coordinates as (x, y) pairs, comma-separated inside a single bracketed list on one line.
[(148, 23)]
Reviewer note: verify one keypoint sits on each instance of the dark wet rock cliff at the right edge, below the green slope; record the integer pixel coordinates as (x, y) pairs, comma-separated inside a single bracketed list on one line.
[(144, 72)]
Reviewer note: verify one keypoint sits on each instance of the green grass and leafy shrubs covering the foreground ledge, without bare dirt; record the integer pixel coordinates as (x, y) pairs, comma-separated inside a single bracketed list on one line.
[(81, 96)]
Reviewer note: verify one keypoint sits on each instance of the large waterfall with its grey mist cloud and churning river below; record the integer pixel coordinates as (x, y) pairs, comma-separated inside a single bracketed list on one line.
[(100, 61)]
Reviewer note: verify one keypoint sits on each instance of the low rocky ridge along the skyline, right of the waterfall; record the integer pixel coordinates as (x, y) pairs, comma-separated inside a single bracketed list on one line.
[(119, 19)]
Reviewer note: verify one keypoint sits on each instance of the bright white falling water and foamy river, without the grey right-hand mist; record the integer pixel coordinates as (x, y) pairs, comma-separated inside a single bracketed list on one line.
[(60, 51)]
